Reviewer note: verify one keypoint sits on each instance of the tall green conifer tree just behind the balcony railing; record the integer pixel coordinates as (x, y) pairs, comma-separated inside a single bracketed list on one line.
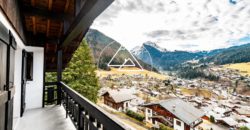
[(80, 73)]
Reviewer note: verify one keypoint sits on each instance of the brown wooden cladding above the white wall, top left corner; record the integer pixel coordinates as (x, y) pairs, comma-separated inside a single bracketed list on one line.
[(10, 8)]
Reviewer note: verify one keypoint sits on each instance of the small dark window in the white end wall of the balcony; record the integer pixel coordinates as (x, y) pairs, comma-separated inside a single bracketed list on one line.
[(29, 74)]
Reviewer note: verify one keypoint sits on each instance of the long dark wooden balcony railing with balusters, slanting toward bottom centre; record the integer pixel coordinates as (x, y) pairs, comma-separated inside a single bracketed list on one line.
[(85, 114)]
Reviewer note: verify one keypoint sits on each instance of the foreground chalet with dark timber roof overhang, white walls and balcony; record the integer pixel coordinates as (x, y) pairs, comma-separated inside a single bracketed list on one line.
[(39, 36)]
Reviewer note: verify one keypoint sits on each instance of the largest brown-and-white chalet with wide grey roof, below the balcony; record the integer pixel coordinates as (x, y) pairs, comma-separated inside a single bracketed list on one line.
[(175, 113)]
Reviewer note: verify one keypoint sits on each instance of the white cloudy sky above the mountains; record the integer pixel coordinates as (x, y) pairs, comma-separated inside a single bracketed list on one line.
[(176, 24)]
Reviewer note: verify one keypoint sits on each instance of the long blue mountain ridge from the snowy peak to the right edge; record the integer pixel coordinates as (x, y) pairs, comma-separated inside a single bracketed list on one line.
[(168, 60)]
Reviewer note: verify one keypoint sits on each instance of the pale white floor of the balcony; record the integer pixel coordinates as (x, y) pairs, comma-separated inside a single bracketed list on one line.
[(48, 118)]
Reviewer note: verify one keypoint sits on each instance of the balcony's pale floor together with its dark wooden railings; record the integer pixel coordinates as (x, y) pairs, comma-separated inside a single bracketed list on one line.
[(73, 112)]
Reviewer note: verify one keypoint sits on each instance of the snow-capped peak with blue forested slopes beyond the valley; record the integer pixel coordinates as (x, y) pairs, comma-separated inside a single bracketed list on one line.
[(160, 58)]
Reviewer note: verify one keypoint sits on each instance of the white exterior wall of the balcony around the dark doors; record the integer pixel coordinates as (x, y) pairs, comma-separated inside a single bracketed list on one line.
[(34, 89)]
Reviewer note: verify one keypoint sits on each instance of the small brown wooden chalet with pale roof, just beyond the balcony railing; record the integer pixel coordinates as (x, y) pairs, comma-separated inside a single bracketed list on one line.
[(118, 99)]
